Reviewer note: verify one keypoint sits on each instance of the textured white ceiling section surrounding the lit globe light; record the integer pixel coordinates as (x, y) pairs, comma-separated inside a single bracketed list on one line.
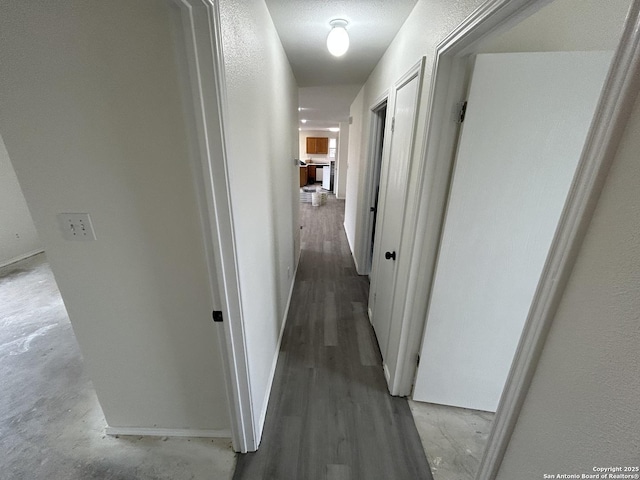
[(303, 26)]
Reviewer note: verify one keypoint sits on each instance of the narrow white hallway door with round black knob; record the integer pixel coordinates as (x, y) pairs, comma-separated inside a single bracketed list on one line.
[(393, 189)]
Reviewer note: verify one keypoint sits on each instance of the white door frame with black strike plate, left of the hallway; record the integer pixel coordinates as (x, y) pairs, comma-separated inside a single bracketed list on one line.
[(206, 78)]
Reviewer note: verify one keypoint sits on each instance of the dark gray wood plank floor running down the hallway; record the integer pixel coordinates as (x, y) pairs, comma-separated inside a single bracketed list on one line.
[(330, 415)]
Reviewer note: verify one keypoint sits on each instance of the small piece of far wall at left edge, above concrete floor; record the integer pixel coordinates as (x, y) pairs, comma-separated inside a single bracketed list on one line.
[(18, 236)]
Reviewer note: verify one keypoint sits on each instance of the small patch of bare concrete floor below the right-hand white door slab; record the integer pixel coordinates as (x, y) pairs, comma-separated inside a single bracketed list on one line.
[(453, 438)]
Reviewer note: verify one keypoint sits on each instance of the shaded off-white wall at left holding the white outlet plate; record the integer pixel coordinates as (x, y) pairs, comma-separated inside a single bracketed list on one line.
[(93, 122)]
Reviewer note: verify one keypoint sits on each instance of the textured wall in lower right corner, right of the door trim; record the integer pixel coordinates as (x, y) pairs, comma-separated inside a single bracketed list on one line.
[(581, 410)]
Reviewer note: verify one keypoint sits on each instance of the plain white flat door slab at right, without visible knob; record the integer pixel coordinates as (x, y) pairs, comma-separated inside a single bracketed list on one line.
[(526, 123)]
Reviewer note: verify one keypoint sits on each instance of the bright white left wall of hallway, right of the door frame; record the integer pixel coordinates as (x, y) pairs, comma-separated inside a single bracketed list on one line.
[(262, 93)]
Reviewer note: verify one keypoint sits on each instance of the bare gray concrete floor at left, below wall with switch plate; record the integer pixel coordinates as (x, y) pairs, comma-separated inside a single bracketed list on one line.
[(51, 424)]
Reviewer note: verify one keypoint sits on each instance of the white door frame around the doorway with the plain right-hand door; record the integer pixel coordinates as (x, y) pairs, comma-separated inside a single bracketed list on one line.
[(614, 107)]
